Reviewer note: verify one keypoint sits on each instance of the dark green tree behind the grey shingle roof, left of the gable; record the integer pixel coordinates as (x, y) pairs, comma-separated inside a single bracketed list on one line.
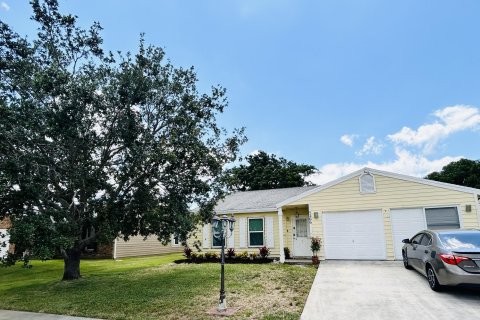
[(266, 171)]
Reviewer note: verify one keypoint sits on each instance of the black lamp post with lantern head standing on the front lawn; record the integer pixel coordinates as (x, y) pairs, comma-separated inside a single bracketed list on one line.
[(221, 226)]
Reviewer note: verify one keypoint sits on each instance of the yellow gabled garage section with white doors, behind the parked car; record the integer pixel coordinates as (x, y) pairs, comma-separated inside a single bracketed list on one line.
[(365, 215)]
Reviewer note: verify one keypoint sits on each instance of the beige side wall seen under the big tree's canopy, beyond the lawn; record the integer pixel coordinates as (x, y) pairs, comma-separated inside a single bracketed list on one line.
[(136, 246)]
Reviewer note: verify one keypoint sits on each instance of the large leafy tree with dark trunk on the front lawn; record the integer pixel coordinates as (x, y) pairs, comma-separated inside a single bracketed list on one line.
[(94, 144)]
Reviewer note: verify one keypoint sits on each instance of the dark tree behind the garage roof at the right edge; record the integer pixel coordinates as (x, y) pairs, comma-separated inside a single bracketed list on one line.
[(463, 172)]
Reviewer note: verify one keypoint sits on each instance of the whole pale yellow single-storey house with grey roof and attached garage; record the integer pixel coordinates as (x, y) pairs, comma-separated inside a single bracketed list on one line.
[(363, 215)]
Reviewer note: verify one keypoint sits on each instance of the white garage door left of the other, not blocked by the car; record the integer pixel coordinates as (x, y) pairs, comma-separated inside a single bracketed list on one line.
[(354, 235)]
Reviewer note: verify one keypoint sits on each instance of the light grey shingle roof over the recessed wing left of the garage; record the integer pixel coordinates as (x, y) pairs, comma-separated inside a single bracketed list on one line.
[(258, 200)]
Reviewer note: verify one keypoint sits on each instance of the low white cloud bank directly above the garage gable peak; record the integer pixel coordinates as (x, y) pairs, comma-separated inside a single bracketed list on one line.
[(405, 163)]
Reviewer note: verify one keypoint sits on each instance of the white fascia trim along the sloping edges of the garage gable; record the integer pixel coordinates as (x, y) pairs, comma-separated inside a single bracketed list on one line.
[(380, 173)]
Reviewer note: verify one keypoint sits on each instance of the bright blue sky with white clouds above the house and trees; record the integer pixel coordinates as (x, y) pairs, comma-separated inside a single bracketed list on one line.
[(338, 84)]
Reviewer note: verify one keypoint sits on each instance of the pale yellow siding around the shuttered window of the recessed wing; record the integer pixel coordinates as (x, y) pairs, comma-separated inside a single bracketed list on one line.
[(274, 252)]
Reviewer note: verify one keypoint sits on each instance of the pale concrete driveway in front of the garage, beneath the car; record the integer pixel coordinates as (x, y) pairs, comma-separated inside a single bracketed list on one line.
[(383, 290)]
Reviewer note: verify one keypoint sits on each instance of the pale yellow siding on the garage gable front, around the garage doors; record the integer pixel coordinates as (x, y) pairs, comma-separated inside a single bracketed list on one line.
[(390, 194)]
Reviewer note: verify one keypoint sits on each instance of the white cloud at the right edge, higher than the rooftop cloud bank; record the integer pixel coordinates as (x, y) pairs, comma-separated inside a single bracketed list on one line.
[(449, 120)]
